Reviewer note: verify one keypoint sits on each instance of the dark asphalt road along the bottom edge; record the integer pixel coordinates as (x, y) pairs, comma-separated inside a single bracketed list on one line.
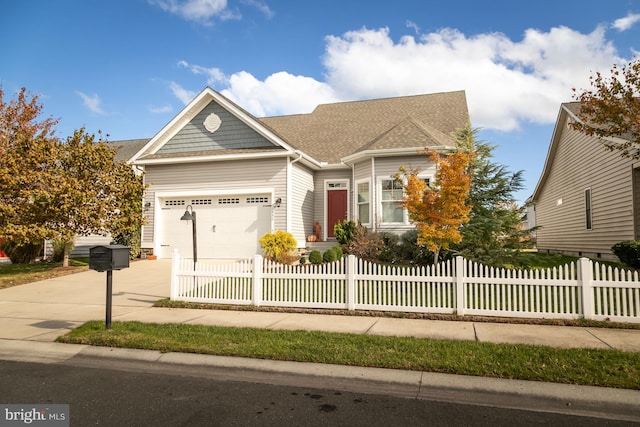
[(120, 396)]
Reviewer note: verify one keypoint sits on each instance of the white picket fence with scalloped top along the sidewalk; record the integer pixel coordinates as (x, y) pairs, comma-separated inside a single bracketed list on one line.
[(584, 289)]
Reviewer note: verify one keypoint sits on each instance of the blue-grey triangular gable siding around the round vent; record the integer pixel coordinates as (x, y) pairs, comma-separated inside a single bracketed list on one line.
[(232, 134)]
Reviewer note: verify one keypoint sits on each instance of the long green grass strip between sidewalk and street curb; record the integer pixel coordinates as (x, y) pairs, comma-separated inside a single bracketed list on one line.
[(597, 367)]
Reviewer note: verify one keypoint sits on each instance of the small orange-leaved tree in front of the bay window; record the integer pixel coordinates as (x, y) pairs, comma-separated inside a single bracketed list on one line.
[(438, 210)]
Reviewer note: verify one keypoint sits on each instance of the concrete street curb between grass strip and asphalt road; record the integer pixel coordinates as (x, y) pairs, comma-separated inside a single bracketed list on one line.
[(412, 383)]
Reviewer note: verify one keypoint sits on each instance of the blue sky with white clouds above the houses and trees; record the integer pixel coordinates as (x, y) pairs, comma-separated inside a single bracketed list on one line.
[(127, 67)]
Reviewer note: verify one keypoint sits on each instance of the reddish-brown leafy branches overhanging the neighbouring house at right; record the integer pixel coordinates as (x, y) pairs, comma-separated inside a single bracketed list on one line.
[(611, 108)]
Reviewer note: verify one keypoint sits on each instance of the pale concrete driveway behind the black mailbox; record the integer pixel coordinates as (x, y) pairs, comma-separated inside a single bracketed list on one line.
[(42, 311)]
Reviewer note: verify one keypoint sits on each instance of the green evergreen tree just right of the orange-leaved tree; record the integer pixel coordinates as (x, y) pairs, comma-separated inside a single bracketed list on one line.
[(494, 232)]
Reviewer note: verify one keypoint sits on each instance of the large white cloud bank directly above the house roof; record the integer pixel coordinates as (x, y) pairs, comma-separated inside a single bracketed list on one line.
[(507, 82)]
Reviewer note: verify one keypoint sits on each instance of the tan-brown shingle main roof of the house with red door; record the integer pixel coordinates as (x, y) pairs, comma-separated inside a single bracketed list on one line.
[(334, 131)]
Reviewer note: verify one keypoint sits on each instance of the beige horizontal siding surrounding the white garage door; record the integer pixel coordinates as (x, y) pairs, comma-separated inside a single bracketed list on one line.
[(212, 178)]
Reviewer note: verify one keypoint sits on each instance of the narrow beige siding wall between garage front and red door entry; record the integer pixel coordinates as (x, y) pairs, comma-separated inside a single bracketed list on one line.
[(302, 200)]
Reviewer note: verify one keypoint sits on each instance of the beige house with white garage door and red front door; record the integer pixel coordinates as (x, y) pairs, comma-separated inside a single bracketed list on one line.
[(245, 176)]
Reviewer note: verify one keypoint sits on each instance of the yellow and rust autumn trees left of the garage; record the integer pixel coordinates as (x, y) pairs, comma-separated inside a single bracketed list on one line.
[(55, 189)]
